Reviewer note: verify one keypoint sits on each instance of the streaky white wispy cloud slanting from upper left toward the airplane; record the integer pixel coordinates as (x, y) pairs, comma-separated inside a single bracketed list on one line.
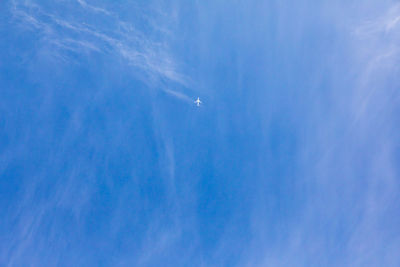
[(150, 55)]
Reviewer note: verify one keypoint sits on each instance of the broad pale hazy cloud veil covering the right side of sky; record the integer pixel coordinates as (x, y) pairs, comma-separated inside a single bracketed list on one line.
[(347, 174)]
